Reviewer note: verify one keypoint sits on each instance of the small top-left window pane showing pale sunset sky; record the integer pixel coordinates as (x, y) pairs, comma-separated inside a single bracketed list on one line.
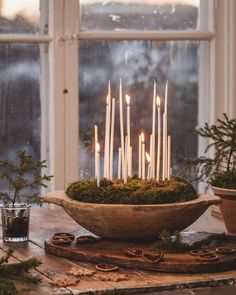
[(19, 16)]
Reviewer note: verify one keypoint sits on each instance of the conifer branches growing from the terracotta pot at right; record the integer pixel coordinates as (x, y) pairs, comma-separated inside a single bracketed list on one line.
[(222, 137)]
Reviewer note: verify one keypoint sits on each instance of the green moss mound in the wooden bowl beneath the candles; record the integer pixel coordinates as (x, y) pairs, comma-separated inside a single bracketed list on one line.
[(136, 191)]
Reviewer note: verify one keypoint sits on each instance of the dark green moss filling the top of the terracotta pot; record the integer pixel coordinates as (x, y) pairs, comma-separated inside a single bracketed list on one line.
[(225, 179)]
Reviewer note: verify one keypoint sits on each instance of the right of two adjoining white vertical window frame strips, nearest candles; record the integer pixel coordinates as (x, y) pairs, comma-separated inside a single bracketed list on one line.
[(71, 89)]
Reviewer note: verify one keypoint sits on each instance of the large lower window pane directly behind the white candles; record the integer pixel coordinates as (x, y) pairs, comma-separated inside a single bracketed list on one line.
[(138, 63)]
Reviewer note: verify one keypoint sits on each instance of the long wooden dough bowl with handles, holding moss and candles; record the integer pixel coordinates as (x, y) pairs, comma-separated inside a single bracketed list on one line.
[(132, 222)]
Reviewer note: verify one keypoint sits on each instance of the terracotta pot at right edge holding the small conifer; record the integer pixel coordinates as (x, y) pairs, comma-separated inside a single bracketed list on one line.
[(228, 207)]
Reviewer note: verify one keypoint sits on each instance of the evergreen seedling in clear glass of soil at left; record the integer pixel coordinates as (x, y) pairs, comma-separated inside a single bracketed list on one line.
[(20, 182)]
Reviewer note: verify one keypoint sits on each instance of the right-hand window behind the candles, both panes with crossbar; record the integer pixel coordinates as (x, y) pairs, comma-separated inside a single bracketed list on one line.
[(170, 53)]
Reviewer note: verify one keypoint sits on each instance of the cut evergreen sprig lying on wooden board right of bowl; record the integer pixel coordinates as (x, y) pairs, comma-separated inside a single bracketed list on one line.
[(174, 241)]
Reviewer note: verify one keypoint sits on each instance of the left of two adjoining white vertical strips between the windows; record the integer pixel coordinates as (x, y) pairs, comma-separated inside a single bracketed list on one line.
[(56, 94)]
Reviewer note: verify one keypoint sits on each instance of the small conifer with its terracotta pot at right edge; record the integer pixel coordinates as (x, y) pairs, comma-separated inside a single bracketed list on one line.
[(220, 170)]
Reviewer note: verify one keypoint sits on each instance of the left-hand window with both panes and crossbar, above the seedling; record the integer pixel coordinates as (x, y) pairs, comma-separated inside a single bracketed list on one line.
[(23, 66)]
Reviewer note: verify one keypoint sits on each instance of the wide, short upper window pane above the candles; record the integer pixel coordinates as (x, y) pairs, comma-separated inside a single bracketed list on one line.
[(139, 15)]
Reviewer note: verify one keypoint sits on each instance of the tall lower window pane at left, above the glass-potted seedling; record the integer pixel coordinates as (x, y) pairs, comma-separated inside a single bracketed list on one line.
[(20, 104)]
